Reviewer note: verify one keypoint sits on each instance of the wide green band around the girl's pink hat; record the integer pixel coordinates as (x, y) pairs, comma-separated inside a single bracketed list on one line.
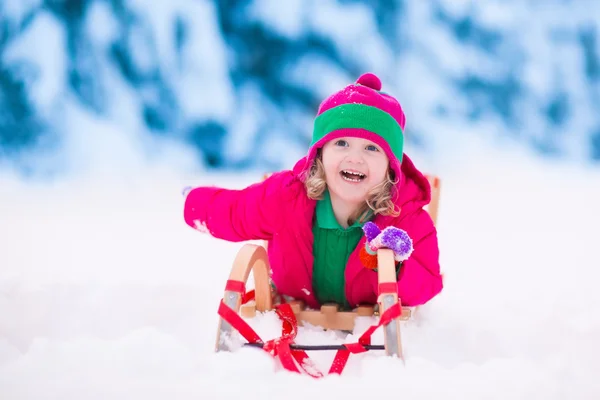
[(360, 116)]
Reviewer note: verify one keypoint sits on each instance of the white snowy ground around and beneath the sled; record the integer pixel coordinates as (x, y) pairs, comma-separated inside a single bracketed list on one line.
[(106, 294)]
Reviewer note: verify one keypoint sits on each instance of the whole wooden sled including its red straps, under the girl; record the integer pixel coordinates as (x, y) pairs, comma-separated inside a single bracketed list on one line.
[(238, 305)]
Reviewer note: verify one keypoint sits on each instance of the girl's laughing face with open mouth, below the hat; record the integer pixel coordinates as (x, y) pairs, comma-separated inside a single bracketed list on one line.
[(353, 166)]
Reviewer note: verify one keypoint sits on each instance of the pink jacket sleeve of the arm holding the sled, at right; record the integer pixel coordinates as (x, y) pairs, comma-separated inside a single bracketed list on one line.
[(419, 278)]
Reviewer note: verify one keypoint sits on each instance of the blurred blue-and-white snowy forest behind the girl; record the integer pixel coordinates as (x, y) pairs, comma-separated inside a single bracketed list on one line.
[(237, 83)]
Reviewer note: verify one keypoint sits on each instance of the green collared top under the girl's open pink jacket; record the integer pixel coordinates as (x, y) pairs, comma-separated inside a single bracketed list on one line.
[(332, 247)]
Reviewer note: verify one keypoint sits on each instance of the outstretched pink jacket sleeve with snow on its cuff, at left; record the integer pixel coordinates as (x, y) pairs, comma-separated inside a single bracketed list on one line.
[(252, 213)]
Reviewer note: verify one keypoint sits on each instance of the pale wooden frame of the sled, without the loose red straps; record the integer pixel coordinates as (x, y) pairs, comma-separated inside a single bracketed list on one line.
[(253, 258)]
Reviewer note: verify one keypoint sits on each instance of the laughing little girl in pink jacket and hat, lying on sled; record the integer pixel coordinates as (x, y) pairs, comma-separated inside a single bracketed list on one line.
[(354, 180)]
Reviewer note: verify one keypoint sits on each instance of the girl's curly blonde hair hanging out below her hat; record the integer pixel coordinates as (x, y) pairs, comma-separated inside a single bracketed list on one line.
[(379, 199)]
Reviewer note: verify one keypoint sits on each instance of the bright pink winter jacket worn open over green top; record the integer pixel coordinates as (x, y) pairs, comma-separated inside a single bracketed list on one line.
[(278, 210)]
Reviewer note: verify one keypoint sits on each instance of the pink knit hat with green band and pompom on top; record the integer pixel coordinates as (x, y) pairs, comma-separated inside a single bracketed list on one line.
[(362, 110)]
